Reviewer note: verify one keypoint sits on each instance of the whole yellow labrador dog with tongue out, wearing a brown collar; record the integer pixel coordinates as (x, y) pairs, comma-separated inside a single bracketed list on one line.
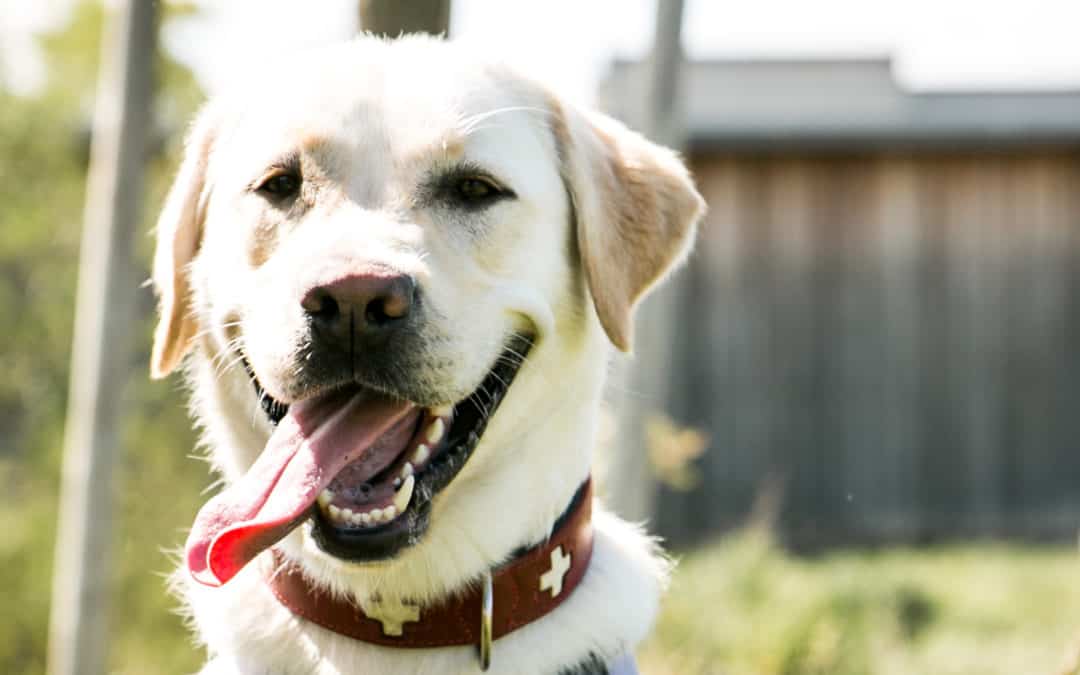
[(397, 271)]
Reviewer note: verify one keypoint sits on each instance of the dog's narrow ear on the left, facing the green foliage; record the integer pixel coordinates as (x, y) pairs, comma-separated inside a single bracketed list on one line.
[(180, 232)]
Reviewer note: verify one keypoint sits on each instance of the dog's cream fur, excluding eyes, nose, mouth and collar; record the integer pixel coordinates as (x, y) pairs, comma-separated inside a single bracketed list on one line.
[(601, 215)]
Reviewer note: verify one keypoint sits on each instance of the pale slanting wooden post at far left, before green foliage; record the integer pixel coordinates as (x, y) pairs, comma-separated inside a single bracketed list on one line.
[(101, 349)]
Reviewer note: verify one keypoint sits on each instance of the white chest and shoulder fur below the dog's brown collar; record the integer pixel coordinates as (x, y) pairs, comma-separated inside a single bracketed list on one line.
[(248, 631)]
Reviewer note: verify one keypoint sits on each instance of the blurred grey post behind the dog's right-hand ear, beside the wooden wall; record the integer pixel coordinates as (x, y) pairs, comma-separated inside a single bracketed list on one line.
[(649, 383)]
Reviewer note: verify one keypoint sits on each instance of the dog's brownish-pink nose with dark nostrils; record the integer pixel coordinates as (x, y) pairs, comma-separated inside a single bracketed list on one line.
[(360, 307)]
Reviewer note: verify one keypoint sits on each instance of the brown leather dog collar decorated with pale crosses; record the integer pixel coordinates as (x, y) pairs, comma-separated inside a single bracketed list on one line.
[(525, 589)]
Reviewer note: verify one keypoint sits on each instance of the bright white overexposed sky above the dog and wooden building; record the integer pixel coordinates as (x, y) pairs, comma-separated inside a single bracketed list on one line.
[(936, 44)]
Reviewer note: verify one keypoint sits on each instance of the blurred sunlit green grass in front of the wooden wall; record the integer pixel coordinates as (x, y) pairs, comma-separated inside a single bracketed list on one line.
[(745, 607)]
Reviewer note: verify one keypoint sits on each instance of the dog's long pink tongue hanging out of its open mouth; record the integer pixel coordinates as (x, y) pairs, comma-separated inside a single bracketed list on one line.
[(313, 443)]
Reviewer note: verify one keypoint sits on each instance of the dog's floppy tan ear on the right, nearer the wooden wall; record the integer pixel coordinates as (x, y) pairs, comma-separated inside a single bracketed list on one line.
[(637, 211)]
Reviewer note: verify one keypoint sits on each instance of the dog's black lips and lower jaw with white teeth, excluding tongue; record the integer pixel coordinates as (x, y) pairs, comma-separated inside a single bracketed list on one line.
[(368, 536)]
